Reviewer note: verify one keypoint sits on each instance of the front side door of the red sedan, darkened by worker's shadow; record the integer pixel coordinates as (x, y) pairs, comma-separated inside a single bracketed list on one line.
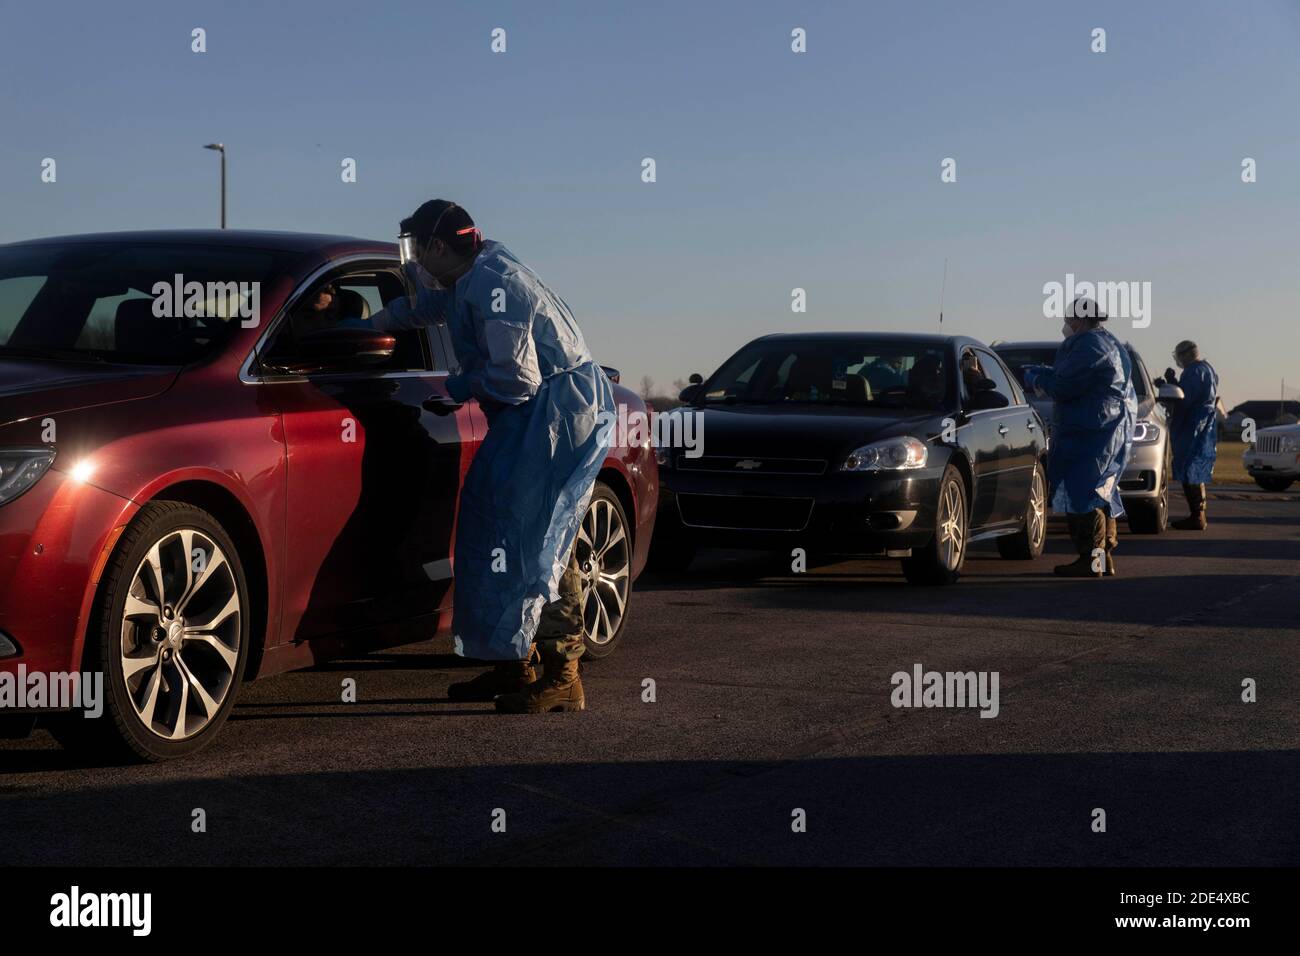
[(375, 465)]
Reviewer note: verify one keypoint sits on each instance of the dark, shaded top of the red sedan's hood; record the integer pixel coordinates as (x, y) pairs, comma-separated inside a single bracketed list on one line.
[(31, 390)]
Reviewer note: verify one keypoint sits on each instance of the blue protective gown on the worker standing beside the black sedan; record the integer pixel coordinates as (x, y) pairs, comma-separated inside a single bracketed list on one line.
[(1093, 422)]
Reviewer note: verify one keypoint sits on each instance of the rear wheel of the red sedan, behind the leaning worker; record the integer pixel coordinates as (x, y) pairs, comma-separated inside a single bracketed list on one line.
[(605, 559)]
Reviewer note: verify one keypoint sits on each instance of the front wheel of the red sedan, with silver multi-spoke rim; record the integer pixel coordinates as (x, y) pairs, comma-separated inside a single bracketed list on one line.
[(196, 633)]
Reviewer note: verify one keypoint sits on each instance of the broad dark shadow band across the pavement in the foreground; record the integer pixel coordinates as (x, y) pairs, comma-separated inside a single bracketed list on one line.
[(1206, 810)]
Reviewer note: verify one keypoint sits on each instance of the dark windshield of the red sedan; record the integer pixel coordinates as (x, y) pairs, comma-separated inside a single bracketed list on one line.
[(127, 302)]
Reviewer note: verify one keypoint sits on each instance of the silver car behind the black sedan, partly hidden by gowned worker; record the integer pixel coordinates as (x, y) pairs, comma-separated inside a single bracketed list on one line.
[(1145, 486)]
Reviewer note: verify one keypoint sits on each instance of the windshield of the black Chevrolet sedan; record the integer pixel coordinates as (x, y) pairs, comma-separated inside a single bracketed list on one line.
[(850, 373)]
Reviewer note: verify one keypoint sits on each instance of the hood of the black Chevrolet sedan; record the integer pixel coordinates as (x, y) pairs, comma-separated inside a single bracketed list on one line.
[(830, 434)]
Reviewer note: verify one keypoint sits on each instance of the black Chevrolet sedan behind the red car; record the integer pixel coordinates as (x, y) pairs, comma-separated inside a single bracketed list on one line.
[(909, 447)]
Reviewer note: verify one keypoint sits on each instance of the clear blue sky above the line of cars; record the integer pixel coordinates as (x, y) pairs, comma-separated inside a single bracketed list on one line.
[(774, 170)]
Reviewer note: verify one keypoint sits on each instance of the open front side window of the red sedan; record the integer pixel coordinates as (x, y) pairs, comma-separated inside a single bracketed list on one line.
[(348, 302)]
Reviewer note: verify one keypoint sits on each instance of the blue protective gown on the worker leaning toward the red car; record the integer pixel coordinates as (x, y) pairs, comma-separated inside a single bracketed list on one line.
[(528, 488)]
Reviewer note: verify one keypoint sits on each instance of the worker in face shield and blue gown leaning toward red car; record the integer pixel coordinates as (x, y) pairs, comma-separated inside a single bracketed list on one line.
[(518, 586)]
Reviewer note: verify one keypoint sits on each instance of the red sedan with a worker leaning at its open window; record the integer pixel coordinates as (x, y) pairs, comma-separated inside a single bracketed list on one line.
[(214, 470)]
